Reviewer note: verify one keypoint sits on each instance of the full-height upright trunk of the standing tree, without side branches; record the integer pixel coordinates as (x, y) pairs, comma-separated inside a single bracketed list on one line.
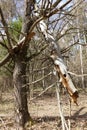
[(19, 74)]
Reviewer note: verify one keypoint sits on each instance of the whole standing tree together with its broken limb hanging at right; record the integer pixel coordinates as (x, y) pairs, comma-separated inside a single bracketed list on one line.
[(36, 13)]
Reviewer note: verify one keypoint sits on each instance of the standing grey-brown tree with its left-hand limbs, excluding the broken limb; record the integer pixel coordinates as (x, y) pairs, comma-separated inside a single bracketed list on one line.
[(19, 56)]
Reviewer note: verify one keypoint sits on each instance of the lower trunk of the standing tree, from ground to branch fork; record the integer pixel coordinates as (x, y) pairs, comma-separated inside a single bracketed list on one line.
[(20, 90)]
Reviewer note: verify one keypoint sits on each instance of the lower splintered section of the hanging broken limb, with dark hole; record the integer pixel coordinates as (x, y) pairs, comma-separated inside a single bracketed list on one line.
[(65, 78)]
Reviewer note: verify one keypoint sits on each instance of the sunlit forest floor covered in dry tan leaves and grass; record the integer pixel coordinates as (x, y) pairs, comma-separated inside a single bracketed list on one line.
[(44, 111)]
